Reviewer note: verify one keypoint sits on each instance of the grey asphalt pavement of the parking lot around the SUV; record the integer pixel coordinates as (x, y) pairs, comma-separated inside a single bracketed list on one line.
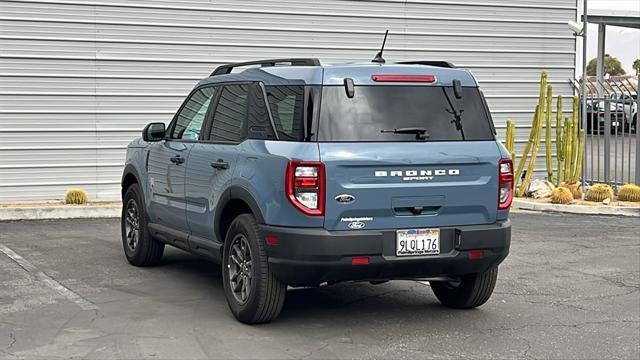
[(569, 289)]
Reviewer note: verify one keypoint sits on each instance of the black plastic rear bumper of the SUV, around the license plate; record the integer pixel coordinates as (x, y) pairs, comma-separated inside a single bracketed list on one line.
[(311, 256)]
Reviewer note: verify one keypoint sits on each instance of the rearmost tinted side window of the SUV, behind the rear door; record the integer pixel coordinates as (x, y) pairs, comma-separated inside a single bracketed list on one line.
[(287, 108)]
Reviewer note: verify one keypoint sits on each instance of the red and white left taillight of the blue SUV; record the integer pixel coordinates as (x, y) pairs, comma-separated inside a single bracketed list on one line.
[(304, 185)]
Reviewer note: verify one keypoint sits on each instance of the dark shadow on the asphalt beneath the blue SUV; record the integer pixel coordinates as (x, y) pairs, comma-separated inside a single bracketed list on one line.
[(405, 301)]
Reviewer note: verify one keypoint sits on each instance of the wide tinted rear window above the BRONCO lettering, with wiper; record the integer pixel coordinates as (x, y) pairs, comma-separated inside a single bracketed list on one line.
[(374, 109)]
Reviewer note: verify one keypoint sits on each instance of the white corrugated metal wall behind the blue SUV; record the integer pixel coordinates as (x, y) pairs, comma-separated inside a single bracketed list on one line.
[(80, 78)]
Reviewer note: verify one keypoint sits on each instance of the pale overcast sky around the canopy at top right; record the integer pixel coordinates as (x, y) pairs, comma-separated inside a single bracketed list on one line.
[(623, 43)]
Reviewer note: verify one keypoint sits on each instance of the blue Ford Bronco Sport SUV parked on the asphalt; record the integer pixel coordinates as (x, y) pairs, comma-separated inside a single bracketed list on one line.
[(296, 173)]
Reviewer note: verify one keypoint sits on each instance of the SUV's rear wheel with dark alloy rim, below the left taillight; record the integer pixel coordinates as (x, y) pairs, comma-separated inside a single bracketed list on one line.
[(259, 295)]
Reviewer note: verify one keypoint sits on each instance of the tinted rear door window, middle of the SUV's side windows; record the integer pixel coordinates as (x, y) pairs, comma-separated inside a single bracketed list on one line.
[(230, 117)]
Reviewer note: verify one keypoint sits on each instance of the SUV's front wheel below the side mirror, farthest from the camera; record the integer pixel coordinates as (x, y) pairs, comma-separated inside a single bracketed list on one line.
[(140, 248)]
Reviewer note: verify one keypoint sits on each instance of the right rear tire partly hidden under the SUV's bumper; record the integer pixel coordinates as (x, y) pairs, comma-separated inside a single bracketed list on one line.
[(470, 292)]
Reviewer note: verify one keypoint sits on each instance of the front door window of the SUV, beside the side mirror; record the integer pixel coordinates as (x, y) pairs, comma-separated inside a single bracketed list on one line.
[(191, 117)]
